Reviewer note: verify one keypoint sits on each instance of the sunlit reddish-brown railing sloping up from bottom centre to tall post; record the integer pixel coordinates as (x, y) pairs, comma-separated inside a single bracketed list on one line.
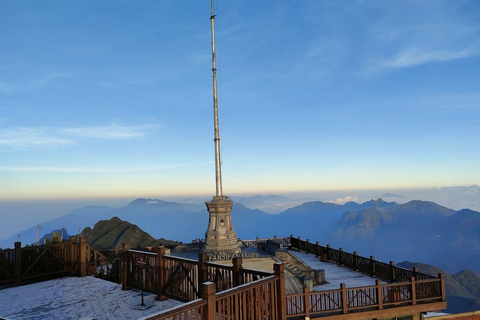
[(260, 299)]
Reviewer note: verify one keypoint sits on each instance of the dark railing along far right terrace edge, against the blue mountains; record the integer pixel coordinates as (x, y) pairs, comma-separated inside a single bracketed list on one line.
[(386, 271)]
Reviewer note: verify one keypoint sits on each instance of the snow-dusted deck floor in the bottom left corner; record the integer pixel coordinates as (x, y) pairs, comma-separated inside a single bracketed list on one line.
[(77, 298)]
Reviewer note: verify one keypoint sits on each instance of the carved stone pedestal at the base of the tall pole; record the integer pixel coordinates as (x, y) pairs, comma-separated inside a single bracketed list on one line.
[(220, 237)]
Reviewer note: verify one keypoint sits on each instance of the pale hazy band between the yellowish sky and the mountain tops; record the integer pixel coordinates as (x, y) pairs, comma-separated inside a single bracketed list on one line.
[(22, 214)]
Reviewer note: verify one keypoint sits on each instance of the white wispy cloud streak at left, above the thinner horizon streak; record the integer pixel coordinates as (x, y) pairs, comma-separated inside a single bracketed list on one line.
[(44, 137)]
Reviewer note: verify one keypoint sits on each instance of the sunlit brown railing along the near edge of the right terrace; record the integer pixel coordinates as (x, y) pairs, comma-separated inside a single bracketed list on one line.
[(347, 300)]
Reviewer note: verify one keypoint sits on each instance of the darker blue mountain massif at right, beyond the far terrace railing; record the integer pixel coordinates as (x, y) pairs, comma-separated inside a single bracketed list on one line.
[(418, 230)]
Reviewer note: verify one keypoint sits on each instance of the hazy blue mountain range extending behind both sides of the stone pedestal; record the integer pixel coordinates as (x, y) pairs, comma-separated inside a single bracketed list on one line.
[(417, 230)]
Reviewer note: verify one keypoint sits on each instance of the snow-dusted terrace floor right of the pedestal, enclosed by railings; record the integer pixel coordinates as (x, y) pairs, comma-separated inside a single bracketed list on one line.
[(335, 274)]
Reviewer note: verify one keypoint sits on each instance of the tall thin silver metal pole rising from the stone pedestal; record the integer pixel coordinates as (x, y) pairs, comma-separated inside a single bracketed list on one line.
[(218, 168)]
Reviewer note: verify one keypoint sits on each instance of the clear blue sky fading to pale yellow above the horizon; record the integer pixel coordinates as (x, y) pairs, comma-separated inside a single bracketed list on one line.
[(114, 98)]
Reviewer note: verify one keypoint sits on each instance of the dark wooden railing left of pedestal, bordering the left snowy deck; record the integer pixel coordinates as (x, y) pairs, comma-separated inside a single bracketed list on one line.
[(181, 278)]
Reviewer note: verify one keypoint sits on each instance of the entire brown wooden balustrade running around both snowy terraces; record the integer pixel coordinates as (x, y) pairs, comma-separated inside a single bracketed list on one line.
[(220, 291)]
